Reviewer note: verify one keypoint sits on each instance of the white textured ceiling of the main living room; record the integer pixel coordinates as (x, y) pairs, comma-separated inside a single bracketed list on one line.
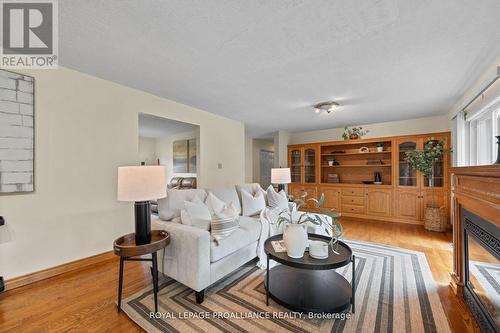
[(267, 62)]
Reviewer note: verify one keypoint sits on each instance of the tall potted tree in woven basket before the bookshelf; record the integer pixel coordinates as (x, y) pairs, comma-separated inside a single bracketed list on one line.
[(424, 161)]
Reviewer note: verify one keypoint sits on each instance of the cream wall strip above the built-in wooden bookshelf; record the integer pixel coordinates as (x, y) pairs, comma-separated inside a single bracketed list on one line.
[(393, 128)]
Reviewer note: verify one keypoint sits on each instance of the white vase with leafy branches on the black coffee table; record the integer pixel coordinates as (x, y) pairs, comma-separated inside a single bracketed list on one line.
[(295, 230)]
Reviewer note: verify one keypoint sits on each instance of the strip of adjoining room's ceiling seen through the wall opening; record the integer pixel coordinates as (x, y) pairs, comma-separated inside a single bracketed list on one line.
[(156, 127)]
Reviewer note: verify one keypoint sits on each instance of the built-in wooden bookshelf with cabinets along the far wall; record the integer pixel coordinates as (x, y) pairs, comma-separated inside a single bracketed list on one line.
[(401, 197)]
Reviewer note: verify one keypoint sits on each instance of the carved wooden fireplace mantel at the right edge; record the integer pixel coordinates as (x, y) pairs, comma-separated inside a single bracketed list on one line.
[(477, 189)]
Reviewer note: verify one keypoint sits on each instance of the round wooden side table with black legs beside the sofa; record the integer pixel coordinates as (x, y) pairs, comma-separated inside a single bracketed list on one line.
[(126, 248)]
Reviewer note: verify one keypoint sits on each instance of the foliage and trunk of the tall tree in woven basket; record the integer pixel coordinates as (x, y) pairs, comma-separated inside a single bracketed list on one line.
[(425, 159)]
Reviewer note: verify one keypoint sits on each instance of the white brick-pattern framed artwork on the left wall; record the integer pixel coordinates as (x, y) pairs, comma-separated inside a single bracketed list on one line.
[(16, 132)]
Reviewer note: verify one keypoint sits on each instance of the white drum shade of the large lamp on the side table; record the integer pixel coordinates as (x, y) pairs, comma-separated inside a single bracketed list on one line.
[(141, 183)]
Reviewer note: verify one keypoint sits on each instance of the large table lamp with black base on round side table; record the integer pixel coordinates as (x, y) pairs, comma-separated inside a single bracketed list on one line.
[(141, 184)]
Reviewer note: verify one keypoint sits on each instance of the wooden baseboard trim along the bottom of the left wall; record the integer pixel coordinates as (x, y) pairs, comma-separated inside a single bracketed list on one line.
[(58, 270)]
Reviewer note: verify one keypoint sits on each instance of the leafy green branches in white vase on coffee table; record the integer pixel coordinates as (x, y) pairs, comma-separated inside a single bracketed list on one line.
[(285, 217)]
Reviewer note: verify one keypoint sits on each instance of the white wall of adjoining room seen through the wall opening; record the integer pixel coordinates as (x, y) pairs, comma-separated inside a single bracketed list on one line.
[(165, 152)]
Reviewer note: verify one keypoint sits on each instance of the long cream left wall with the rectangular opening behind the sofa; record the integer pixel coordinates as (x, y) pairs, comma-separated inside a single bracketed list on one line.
[(85, 128)]
